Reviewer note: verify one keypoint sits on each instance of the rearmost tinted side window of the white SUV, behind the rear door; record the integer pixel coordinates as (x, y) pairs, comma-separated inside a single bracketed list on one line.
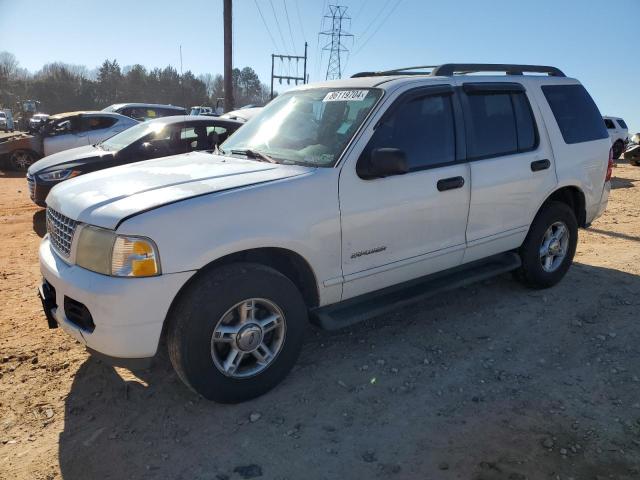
[(576, 113)]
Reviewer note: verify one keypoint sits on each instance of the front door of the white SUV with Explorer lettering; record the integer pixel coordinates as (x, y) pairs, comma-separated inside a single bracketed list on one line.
[(402, 227)]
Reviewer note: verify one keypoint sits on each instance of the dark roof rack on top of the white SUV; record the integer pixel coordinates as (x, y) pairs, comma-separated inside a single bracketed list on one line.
[(449, 69)]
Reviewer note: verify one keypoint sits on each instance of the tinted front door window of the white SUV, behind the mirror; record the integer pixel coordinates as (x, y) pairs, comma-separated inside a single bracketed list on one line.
[(423, 128)]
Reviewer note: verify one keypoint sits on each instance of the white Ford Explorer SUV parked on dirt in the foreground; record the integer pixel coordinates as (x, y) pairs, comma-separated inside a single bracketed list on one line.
[(339, 201)]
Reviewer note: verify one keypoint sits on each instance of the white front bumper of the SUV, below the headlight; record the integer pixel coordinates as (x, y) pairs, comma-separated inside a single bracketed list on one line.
[(128, 313)]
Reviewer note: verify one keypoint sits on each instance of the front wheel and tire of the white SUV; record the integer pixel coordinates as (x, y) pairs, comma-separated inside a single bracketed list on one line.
[(213, 299)]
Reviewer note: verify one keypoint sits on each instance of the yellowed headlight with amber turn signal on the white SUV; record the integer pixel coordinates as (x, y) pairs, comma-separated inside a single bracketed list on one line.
[(103, 251)]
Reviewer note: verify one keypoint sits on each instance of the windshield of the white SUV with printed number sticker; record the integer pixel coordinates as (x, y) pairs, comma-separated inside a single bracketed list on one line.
[(311, 127)]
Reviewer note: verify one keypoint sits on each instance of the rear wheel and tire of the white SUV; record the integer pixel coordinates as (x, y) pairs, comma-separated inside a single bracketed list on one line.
[(550, 218)]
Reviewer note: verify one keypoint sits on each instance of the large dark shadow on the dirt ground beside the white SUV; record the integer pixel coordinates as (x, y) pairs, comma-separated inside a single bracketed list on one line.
[(435, 396)]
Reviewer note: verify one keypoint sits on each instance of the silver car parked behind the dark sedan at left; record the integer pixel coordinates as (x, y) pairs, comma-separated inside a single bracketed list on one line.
[(77, 129)]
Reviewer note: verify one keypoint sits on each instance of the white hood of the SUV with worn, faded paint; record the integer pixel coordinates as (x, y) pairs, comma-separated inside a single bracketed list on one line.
[(106, 197)]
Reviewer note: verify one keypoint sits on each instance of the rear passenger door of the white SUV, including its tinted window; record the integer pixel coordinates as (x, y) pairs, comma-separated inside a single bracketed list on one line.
[(512, 169)]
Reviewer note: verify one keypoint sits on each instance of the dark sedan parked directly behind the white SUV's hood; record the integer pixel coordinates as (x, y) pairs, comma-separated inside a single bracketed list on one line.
[(153, 139)]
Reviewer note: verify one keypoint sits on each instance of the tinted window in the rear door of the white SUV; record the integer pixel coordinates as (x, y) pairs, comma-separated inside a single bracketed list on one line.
[(499, 123)]
